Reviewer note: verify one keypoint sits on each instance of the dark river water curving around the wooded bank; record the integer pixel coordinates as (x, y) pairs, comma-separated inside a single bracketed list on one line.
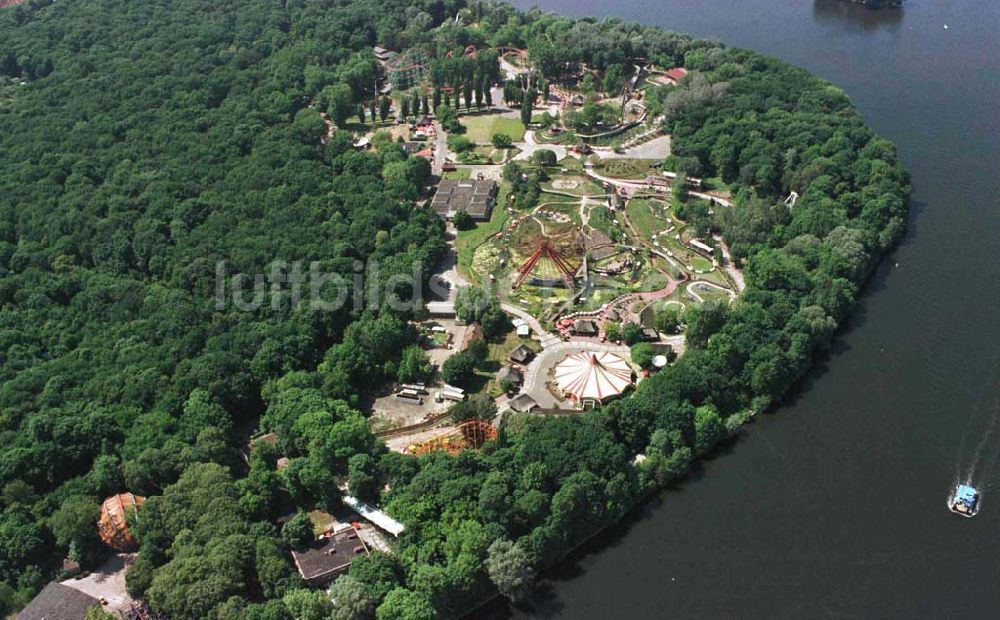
[(833, 505)]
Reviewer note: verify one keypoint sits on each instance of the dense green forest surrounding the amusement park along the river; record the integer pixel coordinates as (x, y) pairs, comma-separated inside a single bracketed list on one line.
[(155, 139)]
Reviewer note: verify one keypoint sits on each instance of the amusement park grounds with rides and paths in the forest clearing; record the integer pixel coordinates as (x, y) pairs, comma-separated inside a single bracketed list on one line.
[(565, 203)]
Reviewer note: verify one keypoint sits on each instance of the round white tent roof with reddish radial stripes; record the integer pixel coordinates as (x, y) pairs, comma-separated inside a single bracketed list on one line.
[(593, 376)]
